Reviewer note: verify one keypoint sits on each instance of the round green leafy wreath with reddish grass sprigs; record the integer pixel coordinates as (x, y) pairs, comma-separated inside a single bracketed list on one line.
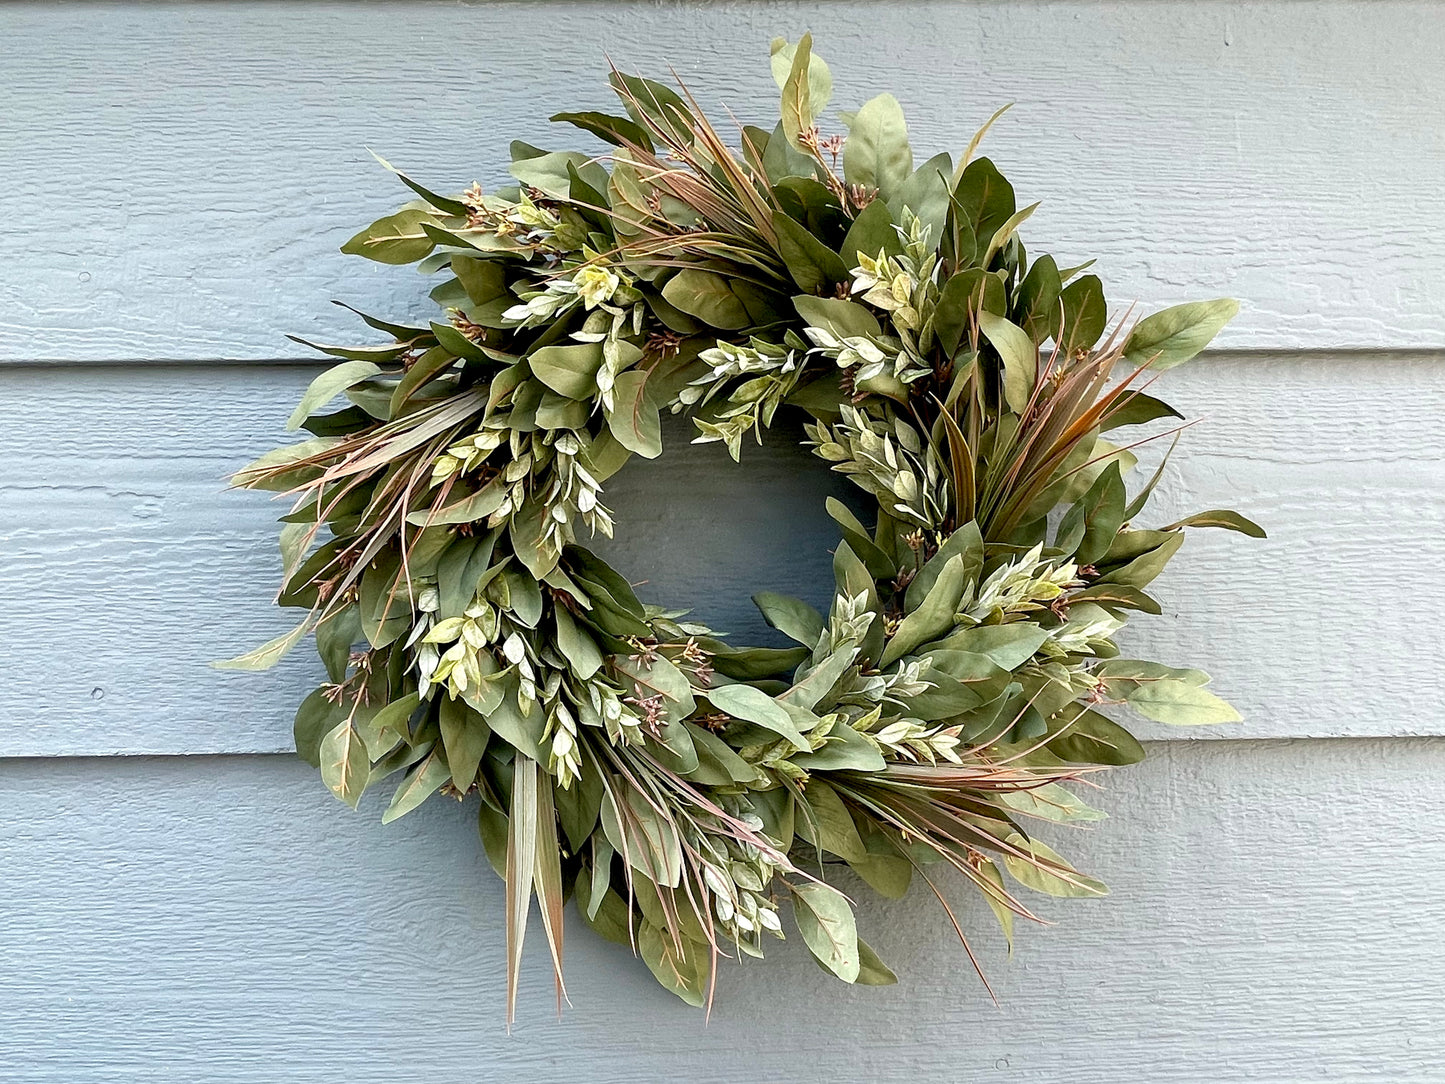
[(689, 793)]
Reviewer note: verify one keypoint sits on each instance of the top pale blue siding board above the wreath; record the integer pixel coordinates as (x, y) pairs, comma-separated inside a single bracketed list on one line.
[(178, 178)]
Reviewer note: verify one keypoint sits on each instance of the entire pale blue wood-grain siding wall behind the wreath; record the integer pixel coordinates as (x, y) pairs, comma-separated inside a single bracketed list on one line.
[(183, 900)]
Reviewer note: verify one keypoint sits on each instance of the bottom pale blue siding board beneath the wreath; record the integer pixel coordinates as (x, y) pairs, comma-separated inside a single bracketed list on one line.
[(1275, 917)]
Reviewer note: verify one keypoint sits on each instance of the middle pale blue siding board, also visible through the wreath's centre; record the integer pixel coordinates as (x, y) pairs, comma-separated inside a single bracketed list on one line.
[(128, 567)]
